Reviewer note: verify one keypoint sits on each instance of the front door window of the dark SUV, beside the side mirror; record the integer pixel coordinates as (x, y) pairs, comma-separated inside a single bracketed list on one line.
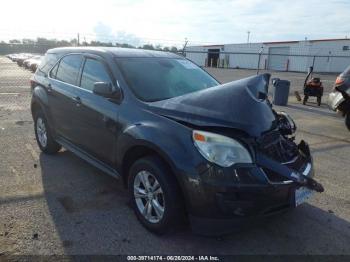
[(94, 71)]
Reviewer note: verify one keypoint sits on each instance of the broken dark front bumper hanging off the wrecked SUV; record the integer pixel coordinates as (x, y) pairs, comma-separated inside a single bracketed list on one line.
[(227, 198)]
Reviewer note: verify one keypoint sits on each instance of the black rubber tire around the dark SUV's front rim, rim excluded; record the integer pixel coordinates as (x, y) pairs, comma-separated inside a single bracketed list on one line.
[(173, 202)]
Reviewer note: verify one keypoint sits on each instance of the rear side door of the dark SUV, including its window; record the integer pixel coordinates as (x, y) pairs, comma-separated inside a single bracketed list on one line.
[(64, 95)]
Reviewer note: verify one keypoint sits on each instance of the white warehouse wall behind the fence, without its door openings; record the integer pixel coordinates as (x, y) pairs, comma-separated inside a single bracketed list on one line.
[(297, 62)]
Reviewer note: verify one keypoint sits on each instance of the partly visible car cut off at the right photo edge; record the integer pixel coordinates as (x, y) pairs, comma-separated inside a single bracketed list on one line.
[(339, 99)]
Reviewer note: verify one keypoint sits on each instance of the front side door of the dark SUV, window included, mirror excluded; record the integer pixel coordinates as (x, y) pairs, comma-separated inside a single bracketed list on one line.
[(97, 117)]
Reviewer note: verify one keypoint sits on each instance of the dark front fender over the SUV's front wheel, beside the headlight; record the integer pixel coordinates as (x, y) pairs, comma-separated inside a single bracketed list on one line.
[(174, 146)]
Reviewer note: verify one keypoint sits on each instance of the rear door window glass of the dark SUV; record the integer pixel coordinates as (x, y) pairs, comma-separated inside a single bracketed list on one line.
[(68, 69)]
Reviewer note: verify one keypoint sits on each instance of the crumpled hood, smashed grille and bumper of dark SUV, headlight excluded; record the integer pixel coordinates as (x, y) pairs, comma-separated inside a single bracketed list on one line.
[(281, 175)]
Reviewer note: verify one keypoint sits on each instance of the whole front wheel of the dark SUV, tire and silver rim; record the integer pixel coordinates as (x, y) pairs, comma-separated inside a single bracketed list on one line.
[(155, 195)]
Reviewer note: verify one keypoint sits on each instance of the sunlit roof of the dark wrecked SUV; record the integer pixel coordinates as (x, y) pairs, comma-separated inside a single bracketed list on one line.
[(115, 51)]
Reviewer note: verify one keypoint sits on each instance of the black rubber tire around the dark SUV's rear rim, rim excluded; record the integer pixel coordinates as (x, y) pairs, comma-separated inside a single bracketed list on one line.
[(51, 146)]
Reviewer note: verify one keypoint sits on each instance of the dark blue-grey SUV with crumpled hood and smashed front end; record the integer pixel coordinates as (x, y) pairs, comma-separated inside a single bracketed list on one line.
[(183, 144)]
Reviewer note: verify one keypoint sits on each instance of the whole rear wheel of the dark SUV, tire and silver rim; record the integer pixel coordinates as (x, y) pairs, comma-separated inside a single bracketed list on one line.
[(43, 134)]
